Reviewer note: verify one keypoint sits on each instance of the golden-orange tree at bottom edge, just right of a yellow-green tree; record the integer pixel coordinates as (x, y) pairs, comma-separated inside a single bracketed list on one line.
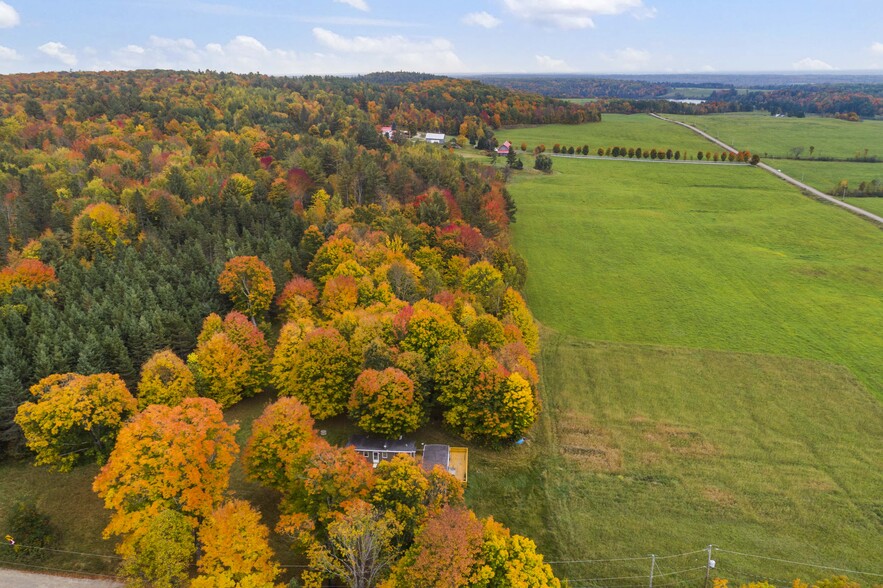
[(235, 549)]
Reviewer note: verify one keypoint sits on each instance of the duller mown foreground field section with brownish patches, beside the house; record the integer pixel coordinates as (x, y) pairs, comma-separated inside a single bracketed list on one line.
[(646, 449)]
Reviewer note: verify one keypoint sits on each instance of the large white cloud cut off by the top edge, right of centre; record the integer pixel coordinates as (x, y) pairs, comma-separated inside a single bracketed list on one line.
[(574, 14)]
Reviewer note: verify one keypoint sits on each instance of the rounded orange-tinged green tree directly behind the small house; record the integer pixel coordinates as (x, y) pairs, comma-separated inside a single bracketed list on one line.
[(384, 402)]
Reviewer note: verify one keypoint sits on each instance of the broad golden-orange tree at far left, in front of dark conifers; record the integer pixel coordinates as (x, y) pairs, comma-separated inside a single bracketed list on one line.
[(75, 418)]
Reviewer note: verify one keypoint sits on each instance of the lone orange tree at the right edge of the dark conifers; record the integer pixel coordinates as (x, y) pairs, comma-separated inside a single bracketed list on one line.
[(249, 284)]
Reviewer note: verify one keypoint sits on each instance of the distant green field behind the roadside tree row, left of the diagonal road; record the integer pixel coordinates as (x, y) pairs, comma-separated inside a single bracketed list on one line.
[(637, 130)]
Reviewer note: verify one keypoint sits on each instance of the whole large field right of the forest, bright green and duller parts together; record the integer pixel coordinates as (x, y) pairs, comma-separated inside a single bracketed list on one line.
[(712, 372)]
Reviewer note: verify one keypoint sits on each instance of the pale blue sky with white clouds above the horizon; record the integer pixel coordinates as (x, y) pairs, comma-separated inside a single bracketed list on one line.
[(445, 36)]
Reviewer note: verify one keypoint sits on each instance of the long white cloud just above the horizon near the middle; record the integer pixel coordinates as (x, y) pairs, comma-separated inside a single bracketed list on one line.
[(435, 54)]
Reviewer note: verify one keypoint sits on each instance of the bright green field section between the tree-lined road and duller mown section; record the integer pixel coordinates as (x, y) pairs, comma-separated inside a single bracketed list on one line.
[(713, 257)]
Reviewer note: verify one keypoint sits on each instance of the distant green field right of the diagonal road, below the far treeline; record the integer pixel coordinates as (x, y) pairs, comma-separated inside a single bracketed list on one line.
[(768, 136)]
